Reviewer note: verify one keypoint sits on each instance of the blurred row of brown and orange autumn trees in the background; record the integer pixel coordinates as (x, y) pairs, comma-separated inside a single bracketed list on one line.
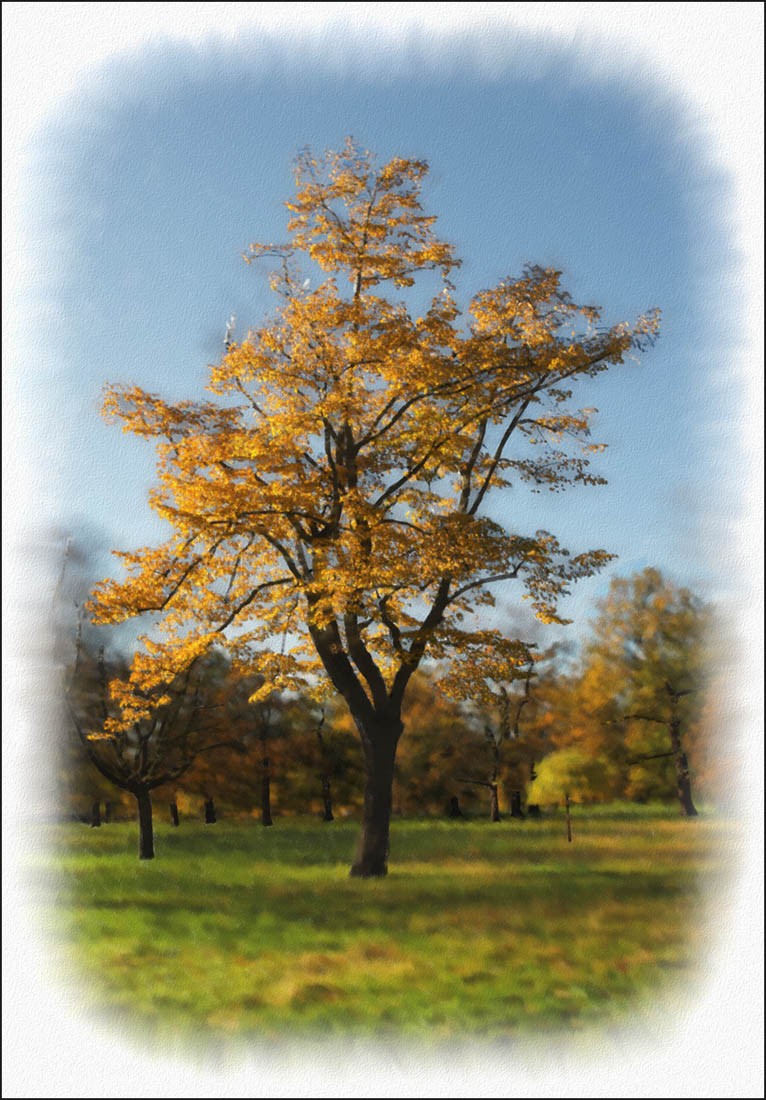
[(598, 727)]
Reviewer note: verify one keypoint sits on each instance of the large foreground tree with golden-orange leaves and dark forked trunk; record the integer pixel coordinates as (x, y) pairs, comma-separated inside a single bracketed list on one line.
[(336, 493)]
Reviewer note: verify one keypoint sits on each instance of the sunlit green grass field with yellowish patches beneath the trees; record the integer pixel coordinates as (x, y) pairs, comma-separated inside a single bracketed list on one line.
[(479, 929)]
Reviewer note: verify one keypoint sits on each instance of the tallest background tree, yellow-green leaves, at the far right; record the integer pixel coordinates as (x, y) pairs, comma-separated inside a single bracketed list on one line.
[(650, 656)]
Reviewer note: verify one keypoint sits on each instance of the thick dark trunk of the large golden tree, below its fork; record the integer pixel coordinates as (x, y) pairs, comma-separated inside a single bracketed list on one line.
[(380, 752)]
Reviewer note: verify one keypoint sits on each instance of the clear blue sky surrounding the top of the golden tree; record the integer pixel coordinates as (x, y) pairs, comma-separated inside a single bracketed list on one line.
[(158, 175)]
